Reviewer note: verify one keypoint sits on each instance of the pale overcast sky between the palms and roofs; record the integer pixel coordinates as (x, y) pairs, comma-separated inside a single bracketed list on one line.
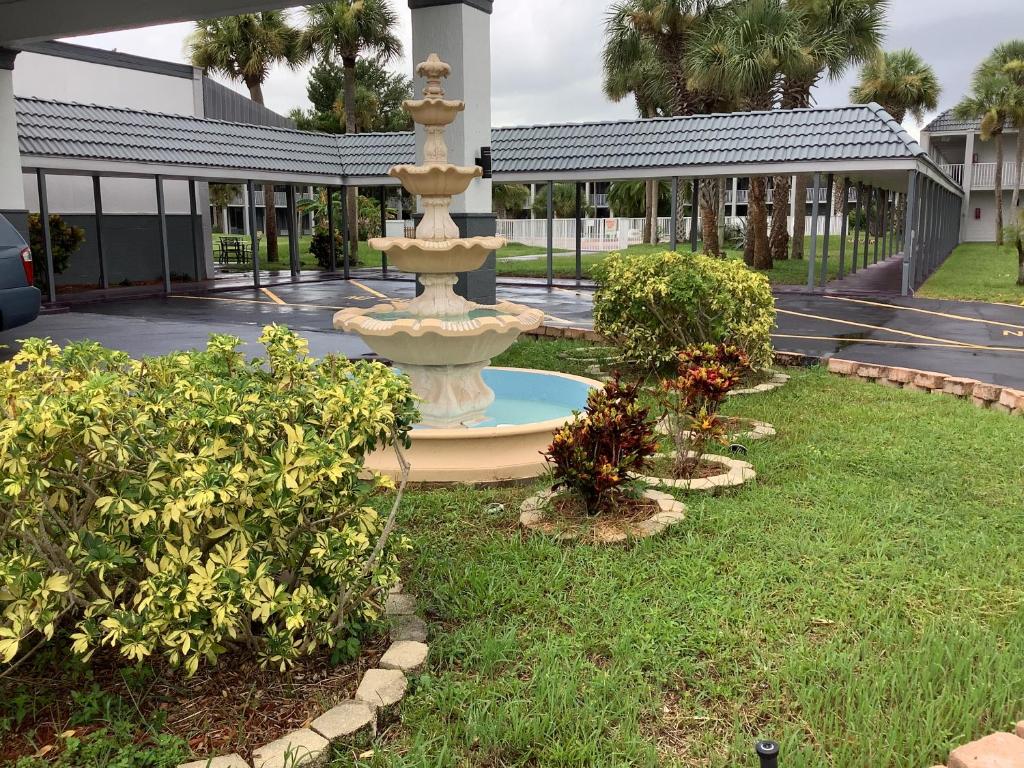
[(547, 55)]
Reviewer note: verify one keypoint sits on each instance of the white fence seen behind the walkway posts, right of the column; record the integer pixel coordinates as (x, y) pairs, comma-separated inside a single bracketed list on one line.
[(611, 235)]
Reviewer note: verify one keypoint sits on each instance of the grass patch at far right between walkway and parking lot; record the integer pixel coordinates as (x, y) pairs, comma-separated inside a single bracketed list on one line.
[(978, 272)]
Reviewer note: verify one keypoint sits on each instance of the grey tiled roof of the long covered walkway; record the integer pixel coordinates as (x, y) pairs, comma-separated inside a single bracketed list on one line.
[(861, 145)]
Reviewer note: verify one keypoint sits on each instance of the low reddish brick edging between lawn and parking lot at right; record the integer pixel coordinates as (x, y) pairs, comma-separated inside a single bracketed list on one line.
[(1004, 400)]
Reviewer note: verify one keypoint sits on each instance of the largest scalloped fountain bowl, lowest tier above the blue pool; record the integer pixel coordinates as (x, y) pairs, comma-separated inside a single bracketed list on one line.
[(485, 332)]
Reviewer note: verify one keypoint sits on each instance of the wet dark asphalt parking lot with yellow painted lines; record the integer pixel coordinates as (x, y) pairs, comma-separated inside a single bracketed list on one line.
[(971, 339)]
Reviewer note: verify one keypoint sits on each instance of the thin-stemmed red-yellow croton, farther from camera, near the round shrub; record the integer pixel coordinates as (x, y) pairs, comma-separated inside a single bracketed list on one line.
[(693, 399)]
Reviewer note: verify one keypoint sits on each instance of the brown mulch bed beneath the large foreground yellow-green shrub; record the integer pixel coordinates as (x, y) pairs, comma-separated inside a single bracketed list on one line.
[(235, 706)]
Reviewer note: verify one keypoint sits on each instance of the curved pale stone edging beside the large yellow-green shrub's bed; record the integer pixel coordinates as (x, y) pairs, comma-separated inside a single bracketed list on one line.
[(377, 698)]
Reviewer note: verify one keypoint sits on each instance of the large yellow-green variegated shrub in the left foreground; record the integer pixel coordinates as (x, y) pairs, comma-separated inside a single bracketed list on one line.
[(194, 503)]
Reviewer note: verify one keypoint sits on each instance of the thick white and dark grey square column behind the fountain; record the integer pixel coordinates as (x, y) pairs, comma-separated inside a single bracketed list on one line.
[(459, 32)]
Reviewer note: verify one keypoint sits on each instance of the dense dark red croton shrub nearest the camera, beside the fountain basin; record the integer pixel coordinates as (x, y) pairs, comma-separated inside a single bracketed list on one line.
[(596, 456)]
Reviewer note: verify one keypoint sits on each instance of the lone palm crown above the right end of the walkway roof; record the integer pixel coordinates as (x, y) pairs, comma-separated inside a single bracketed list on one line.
[(902, 81)]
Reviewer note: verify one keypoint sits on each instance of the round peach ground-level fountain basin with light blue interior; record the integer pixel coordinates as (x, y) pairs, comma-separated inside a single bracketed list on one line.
[(529, 408)]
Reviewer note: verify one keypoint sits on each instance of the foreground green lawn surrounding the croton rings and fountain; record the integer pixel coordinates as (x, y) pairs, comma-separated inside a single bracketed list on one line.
[(862, 604)]
